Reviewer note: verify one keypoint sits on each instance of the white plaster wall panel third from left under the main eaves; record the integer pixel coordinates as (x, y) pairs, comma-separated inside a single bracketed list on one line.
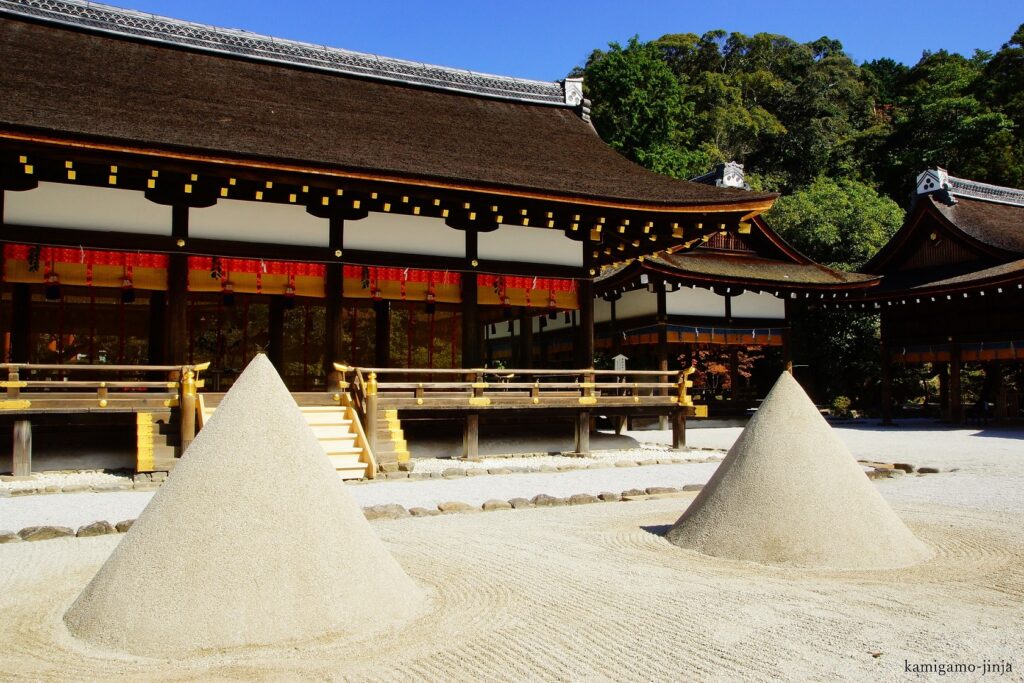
[(406, 235)]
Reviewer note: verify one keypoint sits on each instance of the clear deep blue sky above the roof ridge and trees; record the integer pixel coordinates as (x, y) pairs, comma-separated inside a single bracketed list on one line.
[(544, 40)]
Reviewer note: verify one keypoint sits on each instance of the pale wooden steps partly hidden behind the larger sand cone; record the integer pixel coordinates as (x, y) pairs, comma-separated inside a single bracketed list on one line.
[(337, 433)]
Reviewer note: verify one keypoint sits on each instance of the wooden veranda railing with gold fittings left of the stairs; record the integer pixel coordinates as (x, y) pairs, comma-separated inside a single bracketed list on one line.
[(59, 394)]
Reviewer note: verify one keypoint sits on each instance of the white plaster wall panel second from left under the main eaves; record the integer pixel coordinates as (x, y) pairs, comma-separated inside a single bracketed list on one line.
[(260, 222)]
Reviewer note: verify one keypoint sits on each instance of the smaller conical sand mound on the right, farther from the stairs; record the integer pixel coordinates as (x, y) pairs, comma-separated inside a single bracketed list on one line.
[(790, 493)]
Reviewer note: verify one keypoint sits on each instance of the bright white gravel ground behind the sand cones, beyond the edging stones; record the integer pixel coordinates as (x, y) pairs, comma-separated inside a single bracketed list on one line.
[(988, 463)]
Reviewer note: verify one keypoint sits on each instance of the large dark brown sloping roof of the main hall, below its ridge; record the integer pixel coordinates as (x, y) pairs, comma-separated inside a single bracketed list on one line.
[(72, 83)]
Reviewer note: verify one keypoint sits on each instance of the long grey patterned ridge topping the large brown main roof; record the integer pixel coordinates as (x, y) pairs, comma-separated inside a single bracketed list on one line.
[(236, 42)]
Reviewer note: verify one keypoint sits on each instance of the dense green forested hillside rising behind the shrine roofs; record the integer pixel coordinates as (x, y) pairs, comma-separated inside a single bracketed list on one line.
[(842, 142)]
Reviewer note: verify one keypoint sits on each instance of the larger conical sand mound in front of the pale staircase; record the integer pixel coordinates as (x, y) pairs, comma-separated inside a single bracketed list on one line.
[(253, 540)]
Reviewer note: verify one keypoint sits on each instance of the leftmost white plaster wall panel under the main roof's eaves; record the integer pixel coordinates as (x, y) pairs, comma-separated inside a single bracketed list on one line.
[(82, 207)]
